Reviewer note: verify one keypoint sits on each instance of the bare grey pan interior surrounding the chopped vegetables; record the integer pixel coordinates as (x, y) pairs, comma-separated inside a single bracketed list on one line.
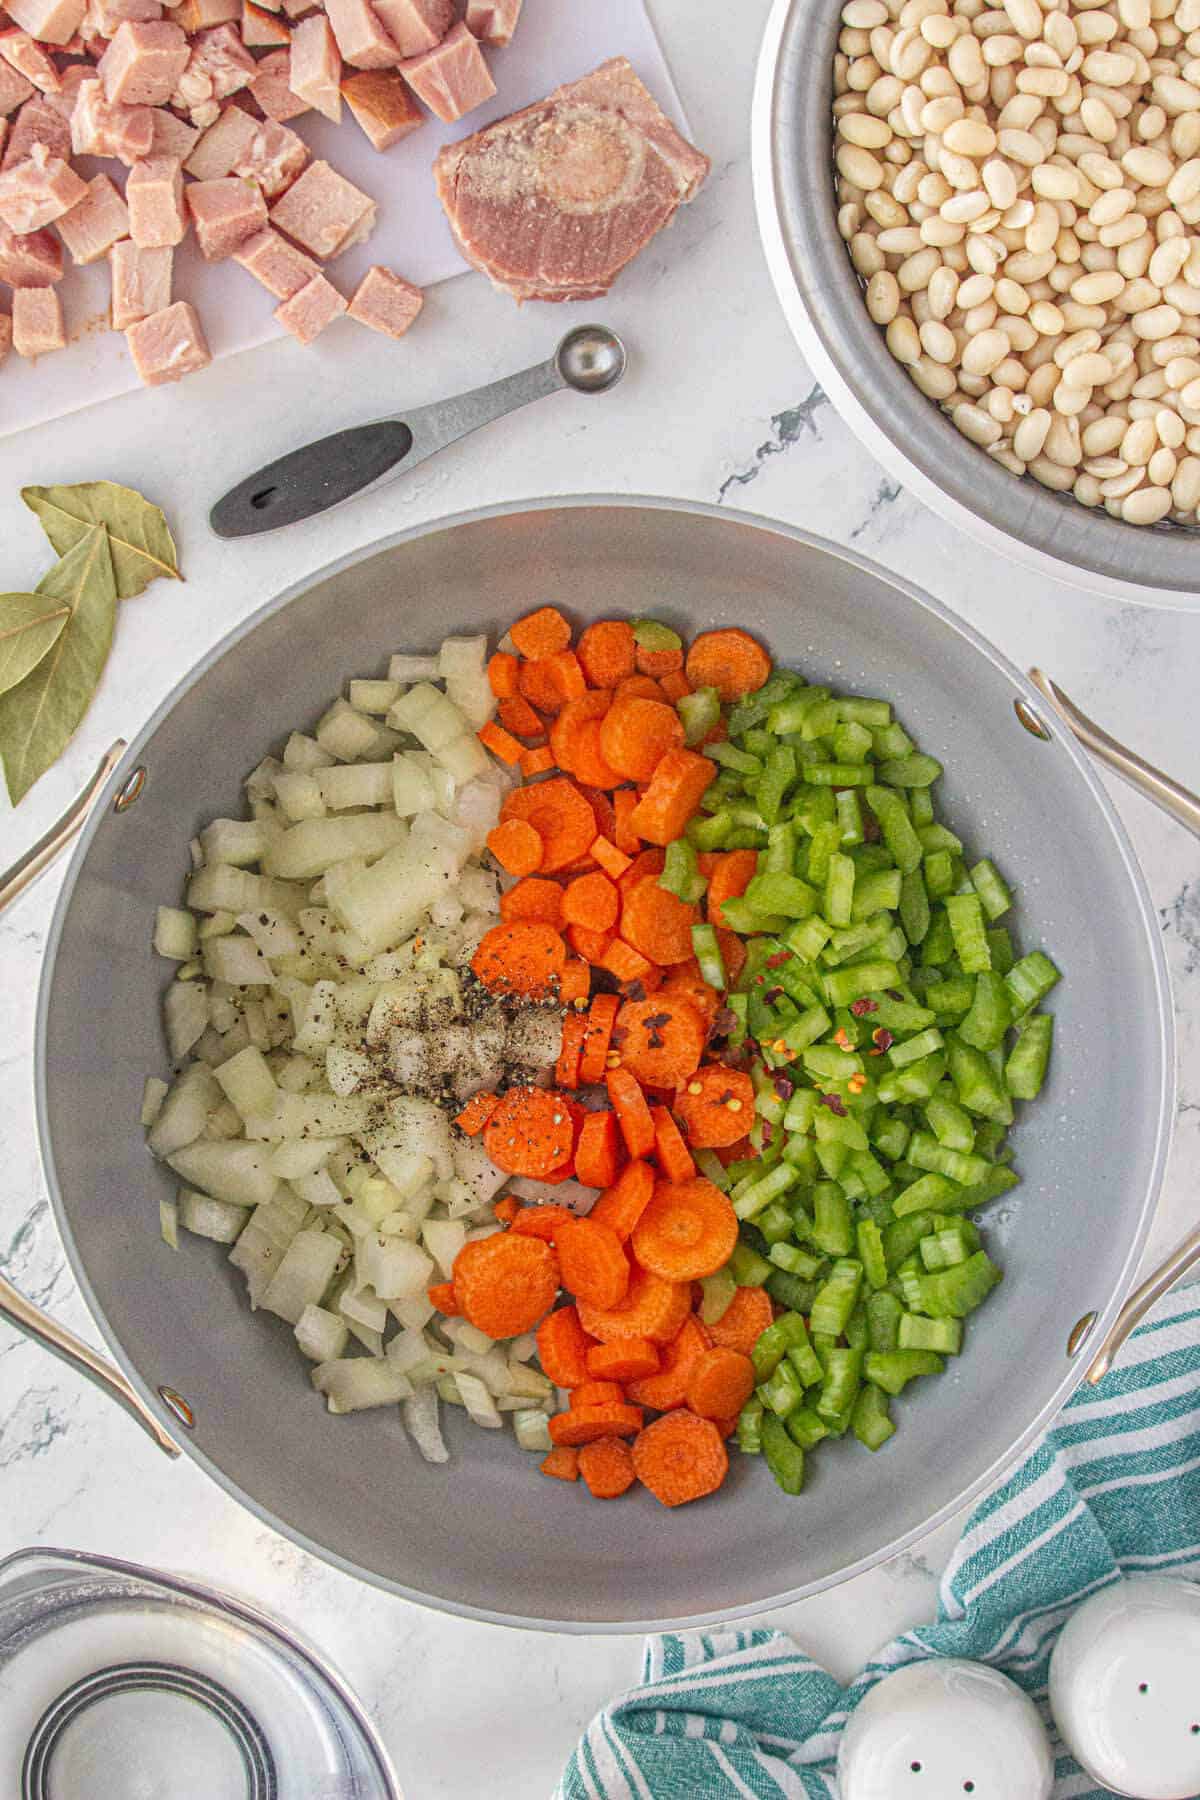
[(487, 1534)]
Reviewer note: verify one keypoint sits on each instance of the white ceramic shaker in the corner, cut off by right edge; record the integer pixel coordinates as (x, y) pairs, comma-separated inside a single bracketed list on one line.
[(1125, 1687)]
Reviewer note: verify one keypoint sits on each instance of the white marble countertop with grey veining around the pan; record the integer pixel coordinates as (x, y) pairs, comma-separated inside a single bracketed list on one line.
[(717, 408)]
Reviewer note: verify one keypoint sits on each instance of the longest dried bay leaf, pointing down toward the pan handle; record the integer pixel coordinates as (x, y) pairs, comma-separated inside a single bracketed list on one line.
[(40, 715)]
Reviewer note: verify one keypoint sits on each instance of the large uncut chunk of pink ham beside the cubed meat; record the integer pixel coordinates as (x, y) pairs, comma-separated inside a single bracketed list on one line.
[(555, 201)]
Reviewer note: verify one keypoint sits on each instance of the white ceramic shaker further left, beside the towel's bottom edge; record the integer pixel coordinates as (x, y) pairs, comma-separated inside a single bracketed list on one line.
[(944, 1729)]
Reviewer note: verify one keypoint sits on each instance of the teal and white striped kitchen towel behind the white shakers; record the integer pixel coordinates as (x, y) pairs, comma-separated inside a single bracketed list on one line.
[(1115, 1488)]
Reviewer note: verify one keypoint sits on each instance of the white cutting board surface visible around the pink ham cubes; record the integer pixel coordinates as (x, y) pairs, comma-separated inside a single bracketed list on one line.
[(557, 40)]
